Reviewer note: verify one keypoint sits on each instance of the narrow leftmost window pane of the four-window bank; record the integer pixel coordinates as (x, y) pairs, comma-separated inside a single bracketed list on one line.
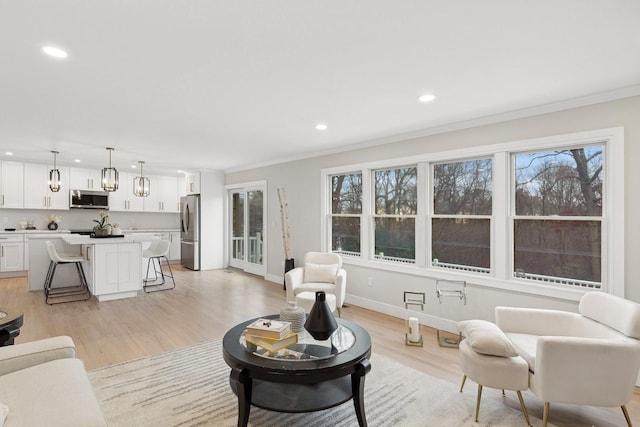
[(346, 210)]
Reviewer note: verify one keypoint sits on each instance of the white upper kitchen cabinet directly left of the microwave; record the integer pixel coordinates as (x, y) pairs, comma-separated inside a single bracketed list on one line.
[(37, 194)]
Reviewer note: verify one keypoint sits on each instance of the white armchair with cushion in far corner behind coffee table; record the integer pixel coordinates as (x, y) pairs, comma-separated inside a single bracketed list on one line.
[(321, 271)]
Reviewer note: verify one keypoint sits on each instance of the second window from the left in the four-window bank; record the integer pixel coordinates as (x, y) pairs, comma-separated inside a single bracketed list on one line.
[(396, 207)]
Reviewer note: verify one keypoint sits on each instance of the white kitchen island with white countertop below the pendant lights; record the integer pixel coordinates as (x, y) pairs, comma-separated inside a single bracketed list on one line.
[(113, 266)]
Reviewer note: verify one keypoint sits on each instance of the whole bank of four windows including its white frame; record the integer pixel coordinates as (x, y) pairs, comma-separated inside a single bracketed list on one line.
[(544, 216)]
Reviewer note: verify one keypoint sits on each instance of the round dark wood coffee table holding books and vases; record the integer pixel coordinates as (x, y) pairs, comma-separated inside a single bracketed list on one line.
[(309, 376)]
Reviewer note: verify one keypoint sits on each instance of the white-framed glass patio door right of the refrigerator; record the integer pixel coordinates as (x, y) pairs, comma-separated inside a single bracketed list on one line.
[(247, 230)]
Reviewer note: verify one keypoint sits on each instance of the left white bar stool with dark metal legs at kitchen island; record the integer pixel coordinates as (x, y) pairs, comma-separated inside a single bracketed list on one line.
[(66, 293)]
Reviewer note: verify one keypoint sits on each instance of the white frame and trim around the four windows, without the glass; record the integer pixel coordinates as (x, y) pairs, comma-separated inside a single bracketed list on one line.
[(613, 236)]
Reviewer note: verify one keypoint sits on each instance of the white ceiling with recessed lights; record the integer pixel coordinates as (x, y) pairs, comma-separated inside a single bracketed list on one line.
[(229, 84)]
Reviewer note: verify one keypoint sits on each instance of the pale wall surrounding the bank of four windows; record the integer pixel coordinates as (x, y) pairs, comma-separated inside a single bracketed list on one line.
[(302, 181)]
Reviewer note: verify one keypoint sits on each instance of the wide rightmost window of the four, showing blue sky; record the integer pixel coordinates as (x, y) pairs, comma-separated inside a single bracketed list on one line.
[(557, 225)]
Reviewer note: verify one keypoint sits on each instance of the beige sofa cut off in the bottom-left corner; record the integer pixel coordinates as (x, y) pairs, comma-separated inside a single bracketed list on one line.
[(42, 383)]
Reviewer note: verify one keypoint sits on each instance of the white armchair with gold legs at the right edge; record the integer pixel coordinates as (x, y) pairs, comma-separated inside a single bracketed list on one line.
[(587, 358)]
